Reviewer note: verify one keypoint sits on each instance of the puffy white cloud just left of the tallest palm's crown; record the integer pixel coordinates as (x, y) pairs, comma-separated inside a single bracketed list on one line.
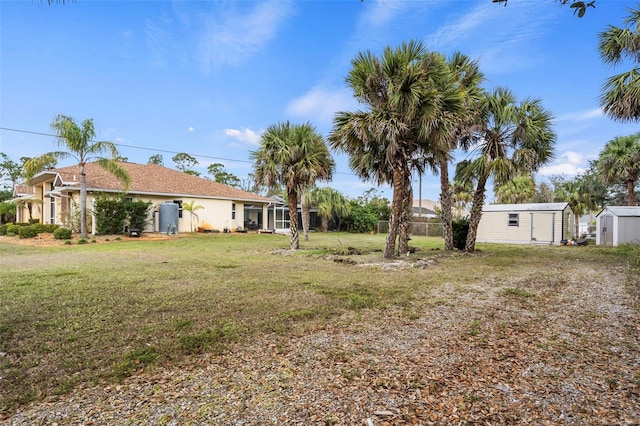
[(320, 105)]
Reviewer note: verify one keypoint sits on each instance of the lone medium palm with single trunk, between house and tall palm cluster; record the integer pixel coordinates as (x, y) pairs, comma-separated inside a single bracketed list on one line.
[(295, 156)]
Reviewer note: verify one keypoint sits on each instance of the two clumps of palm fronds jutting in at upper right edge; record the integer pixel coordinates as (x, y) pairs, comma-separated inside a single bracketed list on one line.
[(620, 97)]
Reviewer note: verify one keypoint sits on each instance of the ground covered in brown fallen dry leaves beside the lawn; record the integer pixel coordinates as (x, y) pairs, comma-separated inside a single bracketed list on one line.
[(570, 355)]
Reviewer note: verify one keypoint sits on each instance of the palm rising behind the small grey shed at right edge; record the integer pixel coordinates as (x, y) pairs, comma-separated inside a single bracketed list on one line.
[(619, 162)]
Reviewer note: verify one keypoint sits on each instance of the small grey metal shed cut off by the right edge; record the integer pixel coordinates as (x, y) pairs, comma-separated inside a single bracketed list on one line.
[(618, 225)]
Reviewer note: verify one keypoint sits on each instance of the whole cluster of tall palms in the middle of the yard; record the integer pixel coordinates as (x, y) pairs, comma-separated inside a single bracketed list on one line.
[(420, 108)]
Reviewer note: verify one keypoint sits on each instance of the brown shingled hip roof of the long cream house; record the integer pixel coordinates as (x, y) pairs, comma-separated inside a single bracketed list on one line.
[(152, 179)]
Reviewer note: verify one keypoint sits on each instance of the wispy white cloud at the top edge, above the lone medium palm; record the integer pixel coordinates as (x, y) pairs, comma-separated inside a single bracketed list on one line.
[(237, 36)]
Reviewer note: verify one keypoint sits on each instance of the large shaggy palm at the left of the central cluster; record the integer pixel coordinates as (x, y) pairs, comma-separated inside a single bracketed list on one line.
[(385, 141)]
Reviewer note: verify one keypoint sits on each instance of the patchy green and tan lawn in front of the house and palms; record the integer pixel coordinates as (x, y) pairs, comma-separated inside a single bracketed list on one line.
[(97, 313)]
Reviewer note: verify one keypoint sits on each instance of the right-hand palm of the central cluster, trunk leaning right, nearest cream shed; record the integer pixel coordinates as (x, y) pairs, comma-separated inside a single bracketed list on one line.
[(512, 138)]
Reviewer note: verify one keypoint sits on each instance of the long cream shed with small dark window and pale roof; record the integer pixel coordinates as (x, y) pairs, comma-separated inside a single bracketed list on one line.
[(535, 223)]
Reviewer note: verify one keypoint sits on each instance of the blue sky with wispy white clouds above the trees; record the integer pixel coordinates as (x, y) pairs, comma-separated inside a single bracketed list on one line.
[(207, 77)]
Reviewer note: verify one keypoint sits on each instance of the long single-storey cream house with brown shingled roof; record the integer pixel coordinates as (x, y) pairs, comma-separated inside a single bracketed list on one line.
[(56, 193)]
